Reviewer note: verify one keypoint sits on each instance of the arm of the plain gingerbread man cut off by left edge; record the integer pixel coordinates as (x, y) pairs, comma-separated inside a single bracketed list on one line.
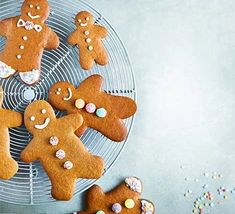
[(12, 118)]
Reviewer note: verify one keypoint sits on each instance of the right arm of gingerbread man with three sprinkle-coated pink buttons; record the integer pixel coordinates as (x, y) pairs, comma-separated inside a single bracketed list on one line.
[(74, 120)]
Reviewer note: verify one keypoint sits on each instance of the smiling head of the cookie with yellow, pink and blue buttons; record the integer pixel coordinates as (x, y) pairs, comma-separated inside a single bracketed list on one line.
[(63, 94)]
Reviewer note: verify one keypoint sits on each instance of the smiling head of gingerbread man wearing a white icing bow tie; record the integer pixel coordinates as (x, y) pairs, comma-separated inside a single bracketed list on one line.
[(35, 10)]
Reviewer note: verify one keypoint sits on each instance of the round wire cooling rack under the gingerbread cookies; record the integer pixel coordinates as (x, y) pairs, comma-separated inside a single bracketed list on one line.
[(31, 186)]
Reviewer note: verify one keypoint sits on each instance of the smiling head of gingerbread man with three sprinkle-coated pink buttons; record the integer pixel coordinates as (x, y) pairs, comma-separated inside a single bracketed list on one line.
[(38, 116)]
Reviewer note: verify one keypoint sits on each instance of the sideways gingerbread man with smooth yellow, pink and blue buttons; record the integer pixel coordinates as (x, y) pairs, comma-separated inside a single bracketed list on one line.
[(101, 111)]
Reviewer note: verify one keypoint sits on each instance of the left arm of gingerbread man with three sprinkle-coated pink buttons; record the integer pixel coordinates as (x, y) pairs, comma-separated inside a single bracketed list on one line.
[(31, 152)]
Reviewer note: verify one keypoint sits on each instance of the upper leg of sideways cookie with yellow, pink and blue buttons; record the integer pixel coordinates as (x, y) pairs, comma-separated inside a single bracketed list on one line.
[(124, 107)]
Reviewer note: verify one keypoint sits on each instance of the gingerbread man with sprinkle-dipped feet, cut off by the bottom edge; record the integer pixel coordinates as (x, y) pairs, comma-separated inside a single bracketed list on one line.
[(123, 199)]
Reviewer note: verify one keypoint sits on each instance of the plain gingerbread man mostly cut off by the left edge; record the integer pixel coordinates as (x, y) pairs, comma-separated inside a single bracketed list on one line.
[(8, 119)]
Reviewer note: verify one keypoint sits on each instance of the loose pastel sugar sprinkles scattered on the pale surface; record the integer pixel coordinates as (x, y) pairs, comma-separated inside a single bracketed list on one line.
[(209, 198)]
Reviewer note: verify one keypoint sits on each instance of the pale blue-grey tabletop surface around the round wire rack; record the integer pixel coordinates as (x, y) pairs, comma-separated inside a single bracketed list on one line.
[(183, 58)]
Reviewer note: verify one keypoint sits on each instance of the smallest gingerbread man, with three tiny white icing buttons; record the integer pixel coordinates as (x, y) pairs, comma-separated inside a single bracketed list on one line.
[(88, 37)]
